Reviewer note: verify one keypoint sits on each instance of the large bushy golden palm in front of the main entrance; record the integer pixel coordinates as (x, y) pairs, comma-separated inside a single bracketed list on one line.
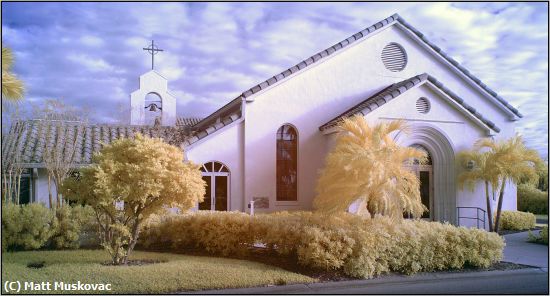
[(368, 165)]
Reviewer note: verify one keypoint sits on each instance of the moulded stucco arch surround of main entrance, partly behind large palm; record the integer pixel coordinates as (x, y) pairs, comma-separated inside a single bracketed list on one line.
[(440, 149)]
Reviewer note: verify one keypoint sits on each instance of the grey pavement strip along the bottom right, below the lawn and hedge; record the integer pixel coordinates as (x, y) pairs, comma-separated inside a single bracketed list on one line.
[(519, 281)]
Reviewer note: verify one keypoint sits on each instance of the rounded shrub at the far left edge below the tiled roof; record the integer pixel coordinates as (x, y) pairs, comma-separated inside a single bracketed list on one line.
[(25, 227)]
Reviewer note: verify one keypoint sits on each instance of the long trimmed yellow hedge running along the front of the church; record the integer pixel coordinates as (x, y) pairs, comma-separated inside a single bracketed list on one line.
[(361, 247)]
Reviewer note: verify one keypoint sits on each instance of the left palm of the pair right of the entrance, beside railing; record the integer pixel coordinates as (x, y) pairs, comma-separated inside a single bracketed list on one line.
[(477, 169)]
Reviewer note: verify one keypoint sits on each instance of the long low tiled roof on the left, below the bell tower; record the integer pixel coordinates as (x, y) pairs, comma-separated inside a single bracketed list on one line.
[(26, 140)]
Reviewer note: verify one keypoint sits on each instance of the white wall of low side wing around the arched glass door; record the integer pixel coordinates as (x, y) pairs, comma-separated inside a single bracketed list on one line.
[(224, 146)]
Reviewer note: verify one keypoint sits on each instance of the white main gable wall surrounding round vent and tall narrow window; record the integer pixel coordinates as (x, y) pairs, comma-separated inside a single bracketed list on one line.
[(317, 94)]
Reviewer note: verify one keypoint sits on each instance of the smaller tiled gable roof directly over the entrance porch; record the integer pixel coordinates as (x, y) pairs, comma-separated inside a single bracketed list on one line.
[(393, 91)]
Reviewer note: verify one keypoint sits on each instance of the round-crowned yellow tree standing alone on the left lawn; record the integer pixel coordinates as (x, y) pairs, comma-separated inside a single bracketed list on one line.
[(130, 179)]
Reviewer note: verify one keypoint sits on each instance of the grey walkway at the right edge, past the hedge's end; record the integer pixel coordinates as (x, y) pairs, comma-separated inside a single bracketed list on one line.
[(518, 250)]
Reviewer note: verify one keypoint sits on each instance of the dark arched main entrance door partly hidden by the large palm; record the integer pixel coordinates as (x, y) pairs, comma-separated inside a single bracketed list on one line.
[(424, 173)]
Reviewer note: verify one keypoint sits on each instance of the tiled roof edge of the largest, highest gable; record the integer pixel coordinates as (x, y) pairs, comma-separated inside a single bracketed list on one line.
[(363, 34)]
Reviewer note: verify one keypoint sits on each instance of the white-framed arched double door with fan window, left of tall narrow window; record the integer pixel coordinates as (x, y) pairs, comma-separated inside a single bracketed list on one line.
[(216, 176)]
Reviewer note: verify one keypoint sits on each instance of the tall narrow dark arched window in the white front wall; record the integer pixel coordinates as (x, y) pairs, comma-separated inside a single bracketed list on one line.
[(287, 163)]
